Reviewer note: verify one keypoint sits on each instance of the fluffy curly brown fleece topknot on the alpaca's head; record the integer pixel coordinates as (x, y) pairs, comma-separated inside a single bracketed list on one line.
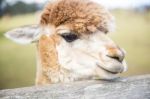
[(81, 16)]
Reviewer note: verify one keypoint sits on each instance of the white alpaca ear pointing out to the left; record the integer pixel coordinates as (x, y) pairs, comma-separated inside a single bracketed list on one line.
[(25, 34)]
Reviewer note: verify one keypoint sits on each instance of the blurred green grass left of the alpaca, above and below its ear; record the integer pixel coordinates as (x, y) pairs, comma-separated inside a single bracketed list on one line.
[(17, 62)]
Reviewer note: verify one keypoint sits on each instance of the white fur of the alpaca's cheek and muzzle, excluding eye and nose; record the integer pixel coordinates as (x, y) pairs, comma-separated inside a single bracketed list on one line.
[(83, 55)]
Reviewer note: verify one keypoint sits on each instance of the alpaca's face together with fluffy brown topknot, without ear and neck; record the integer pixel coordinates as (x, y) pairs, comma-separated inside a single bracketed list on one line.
[(84, 47)]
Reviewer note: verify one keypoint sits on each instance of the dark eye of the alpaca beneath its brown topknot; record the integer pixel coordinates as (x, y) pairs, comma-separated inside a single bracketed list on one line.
[(69, 37)]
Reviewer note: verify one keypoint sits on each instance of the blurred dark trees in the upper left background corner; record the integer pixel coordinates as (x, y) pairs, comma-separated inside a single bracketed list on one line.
[(6, 8)]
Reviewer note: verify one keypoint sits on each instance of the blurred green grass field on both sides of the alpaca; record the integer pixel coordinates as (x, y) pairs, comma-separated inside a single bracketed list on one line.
[(17, 62)]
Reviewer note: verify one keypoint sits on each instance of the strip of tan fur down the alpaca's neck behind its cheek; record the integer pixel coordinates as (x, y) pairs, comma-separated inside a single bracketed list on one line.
[(48, 57)]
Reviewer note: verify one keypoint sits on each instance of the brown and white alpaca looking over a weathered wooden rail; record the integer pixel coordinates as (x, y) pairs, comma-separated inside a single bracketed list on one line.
[(72, 43)]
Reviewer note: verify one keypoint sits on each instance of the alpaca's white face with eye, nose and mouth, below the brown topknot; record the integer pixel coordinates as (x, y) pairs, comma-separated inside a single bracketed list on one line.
[(89, 56)]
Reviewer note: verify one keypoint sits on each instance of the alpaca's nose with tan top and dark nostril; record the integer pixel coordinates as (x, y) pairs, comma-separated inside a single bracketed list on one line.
[(116, 53)]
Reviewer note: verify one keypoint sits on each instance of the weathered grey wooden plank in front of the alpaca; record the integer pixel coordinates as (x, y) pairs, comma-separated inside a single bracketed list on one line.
[(121, 88)]
